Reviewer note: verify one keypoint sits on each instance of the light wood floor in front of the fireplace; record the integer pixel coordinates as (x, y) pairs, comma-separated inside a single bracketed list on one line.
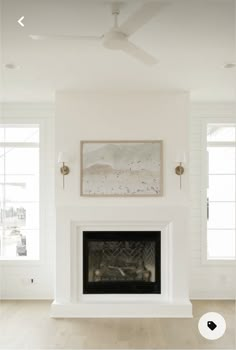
[(27, 325)]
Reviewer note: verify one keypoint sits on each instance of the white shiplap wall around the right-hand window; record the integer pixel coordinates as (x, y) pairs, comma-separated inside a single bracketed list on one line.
[(208, 281)]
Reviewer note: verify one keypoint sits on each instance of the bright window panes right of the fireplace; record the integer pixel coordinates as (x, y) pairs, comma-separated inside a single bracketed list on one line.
[(221, 199)]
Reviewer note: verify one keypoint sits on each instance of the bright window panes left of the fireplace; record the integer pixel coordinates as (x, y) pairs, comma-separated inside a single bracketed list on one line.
[(19, 191)]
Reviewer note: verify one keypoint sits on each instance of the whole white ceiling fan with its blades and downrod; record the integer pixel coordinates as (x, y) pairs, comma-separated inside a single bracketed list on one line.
[(117, 38)]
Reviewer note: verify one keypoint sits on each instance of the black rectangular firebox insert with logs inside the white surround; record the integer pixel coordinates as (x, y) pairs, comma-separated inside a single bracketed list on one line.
[(121, 262)]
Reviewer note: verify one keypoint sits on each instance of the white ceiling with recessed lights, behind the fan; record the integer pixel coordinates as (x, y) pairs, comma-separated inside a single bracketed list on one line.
[(192, 39)]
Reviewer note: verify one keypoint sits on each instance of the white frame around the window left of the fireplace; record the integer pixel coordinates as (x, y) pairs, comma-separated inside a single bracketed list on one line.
[(41, 123)]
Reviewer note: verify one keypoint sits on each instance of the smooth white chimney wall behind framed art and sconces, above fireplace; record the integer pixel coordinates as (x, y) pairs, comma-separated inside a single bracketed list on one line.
[(124, 116)]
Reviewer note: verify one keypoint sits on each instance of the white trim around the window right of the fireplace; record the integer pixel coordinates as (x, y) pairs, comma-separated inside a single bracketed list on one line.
[(204, 180)]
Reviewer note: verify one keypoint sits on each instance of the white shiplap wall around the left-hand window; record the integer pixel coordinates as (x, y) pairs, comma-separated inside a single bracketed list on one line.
[(15, 276)]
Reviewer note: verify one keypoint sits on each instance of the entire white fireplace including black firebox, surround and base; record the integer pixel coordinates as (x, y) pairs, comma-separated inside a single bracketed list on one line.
[(151, 292)]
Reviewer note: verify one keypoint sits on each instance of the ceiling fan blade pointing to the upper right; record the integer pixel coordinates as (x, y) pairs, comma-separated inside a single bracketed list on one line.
[(139, 18)]
